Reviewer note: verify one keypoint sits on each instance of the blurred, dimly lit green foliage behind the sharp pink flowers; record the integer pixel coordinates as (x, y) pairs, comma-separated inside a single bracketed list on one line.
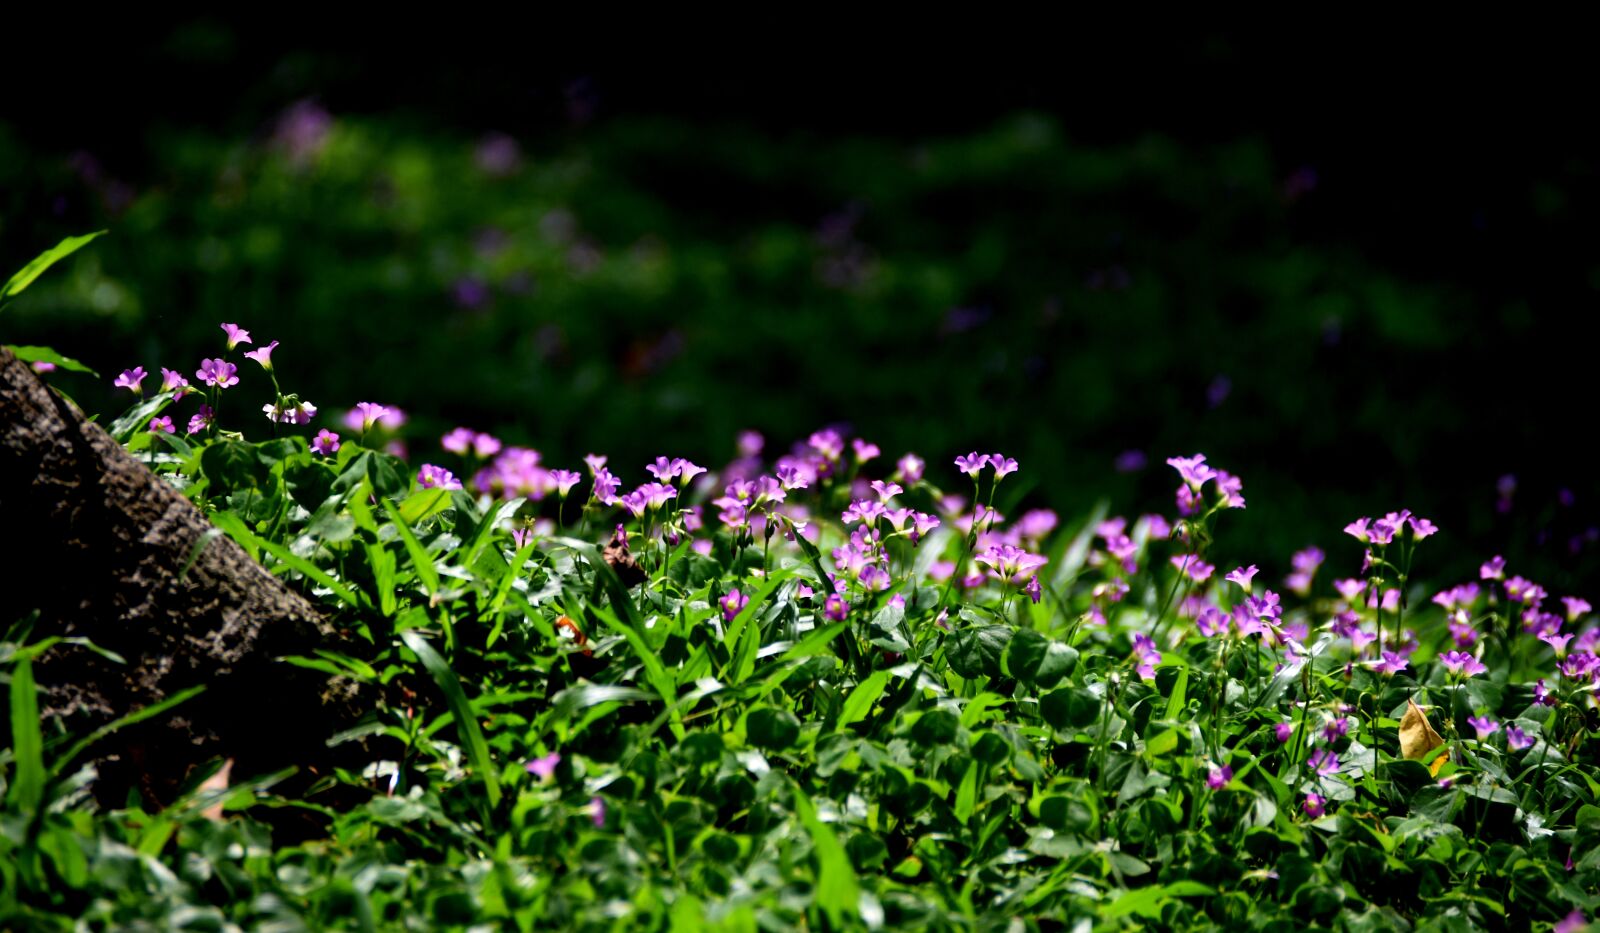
[(652, 286)]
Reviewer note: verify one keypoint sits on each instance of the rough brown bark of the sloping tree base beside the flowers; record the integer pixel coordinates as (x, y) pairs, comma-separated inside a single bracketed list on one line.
[(98, 545)]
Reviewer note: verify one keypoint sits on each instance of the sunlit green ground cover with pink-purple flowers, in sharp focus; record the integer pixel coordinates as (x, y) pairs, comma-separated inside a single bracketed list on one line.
[(822, 686)]
